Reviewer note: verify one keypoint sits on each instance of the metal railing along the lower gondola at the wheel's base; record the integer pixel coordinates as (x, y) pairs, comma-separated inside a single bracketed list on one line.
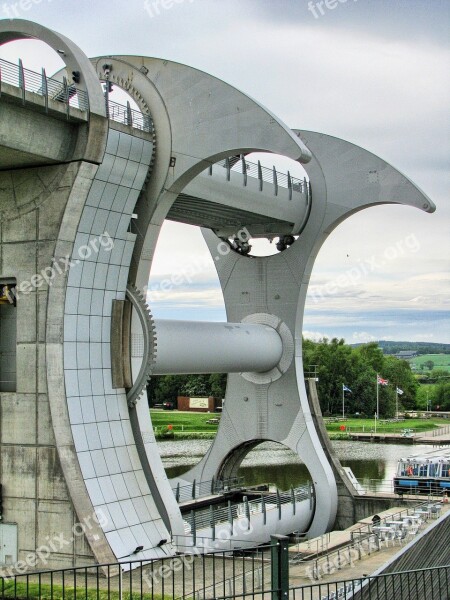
[(211, 517)]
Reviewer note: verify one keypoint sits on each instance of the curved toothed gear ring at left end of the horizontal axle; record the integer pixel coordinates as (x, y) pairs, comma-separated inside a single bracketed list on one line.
[(149, 331)]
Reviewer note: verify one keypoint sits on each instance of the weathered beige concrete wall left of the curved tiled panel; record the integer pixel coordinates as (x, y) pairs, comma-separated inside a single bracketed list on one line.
[(35, 495)]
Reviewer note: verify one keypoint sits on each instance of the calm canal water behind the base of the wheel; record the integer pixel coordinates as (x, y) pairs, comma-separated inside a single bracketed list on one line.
[(373, 464)]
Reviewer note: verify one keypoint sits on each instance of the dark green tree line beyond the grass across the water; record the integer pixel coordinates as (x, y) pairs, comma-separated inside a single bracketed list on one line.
[(336, 364)]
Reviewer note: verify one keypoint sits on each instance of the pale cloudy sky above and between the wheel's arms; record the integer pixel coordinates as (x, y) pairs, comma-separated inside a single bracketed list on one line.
[(373, 72)]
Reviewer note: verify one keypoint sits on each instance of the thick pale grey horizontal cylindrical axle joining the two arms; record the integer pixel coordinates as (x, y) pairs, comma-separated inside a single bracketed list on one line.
[(190, 347)]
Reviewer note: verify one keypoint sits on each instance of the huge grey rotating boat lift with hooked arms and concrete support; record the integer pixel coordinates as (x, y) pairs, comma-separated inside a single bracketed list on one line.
[(85, 186)]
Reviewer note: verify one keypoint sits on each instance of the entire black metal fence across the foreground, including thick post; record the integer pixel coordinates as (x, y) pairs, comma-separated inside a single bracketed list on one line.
[(261, 572)]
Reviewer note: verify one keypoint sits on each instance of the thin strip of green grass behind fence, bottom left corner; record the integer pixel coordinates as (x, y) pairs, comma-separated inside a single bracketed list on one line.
[(46, 592)]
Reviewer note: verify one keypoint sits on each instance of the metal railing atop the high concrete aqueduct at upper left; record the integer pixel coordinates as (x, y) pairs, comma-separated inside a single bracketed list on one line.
[(68, 94)]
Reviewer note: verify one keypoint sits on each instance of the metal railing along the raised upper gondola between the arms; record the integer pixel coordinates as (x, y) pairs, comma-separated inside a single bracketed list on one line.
[(239, 164)]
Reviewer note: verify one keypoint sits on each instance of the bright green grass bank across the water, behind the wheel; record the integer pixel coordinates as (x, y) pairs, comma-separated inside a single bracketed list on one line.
[(184, 423)]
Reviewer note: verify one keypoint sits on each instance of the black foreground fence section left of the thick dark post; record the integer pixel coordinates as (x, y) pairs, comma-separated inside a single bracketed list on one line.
[(194, 576)]
